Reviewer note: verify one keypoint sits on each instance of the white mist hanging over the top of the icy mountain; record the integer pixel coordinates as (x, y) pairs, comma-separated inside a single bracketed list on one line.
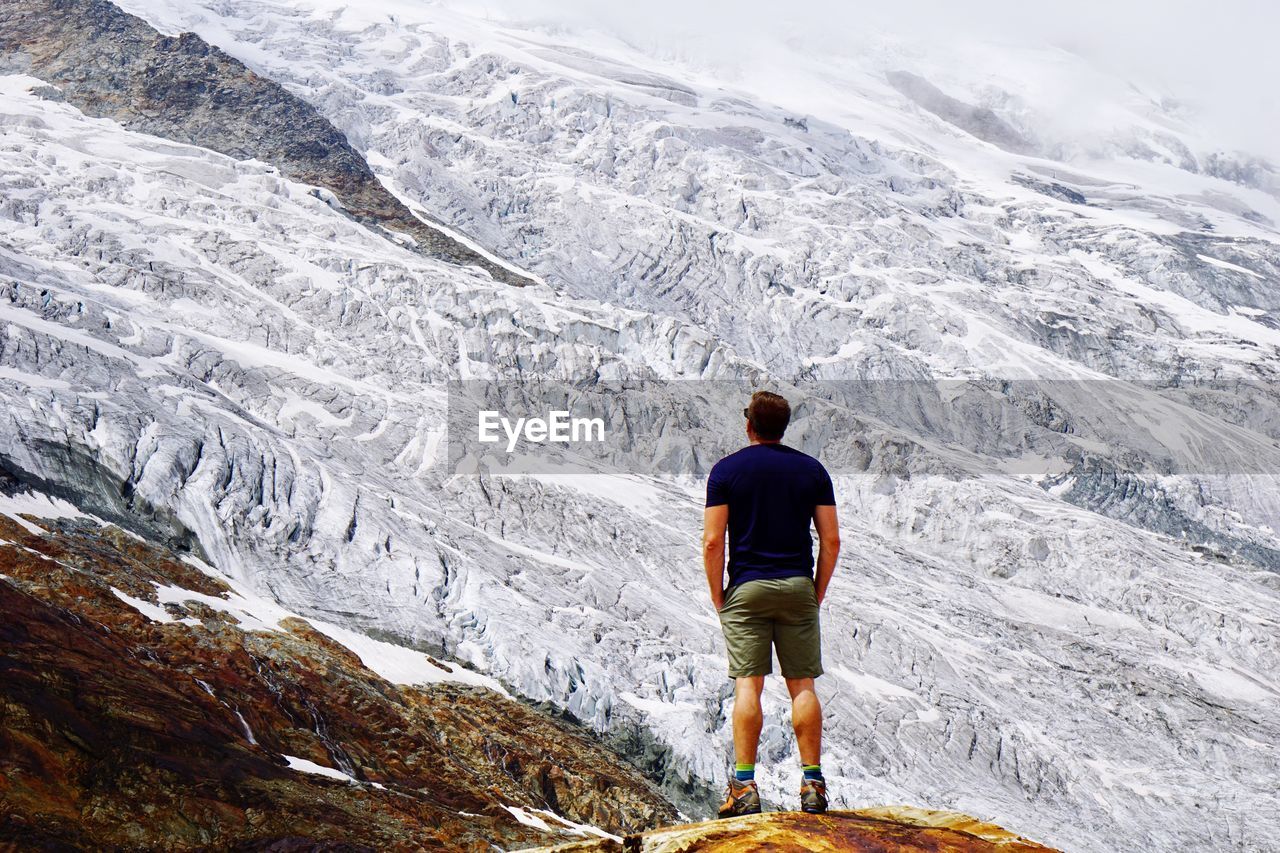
[(1081, 71)]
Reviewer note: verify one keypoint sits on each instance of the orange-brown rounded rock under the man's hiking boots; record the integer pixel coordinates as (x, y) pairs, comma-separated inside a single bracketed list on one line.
[(880, 831)]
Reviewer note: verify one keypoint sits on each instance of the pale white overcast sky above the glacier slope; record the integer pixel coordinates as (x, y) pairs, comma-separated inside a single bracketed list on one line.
[(1220, 58)]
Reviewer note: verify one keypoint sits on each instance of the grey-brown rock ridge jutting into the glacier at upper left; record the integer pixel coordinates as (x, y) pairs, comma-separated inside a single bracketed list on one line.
[(180, 88)]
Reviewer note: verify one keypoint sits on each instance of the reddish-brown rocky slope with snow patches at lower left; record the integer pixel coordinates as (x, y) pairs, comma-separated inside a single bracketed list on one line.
[(118, 732)]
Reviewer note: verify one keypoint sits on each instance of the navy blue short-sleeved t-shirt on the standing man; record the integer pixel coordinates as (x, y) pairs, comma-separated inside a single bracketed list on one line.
[(771, 491)]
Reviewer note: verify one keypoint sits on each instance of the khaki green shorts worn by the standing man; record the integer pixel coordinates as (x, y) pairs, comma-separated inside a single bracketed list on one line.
[(779, 613)]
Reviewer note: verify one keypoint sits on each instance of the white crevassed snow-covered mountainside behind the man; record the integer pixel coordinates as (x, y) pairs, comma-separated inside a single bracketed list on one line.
[(1059, 614)]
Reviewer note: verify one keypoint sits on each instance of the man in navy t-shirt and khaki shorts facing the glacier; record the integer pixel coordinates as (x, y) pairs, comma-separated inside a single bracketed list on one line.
[(766, 495)]
